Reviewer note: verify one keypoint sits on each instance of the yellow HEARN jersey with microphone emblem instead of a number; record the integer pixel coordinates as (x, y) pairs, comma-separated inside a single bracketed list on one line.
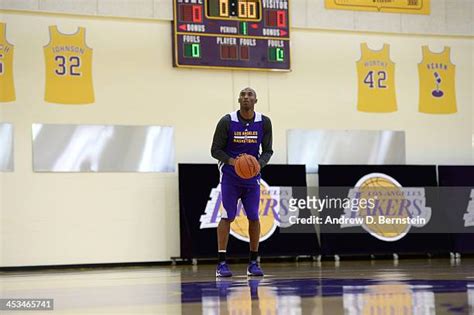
[(437, 86)]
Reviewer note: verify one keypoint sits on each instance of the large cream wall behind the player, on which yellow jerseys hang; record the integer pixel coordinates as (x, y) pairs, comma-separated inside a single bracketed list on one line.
[(49, 219)]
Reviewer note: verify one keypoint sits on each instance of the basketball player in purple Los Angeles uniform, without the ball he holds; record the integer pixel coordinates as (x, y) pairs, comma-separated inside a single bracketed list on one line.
[(230, 140)]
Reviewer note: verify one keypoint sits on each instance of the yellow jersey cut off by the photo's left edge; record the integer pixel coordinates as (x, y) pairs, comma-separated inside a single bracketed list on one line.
[(7, 86)]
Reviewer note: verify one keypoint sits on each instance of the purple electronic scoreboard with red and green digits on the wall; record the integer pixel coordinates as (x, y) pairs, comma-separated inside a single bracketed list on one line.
[(232, 34)]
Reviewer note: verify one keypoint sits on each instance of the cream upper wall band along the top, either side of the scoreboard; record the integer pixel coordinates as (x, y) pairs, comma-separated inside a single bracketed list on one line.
[(447, 17)]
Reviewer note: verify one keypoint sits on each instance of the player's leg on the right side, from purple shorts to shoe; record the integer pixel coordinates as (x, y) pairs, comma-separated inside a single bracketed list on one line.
[(251, 202)]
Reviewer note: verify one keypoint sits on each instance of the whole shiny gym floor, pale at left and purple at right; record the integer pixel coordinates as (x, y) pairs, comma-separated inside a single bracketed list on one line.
[(359, 287)]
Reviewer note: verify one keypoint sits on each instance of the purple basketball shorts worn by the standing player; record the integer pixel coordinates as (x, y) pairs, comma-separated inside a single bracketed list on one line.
[(250, 197)]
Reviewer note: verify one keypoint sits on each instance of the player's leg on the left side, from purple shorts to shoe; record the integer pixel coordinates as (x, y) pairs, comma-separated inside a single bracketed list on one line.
[(230, 195)]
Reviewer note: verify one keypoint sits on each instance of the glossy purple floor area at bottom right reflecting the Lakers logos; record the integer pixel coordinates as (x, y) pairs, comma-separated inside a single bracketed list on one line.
[(352, 296)]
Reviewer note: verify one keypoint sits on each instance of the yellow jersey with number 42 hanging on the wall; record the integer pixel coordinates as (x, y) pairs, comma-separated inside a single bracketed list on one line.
[(376, 76)]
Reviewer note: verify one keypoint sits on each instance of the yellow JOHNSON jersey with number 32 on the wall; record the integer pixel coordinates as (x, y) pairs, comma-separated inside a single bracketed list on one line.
[(68, 68)]
